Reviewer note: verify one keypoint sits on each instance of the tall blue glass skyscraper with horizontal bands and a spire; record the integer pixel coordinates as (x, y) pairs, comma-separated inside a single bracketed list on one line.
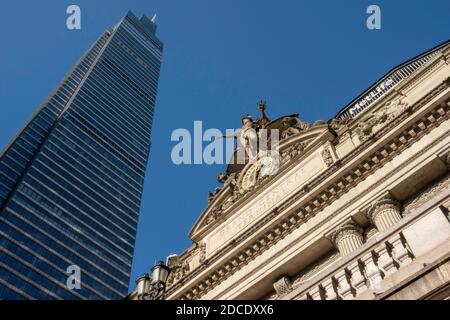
[(71, 181)]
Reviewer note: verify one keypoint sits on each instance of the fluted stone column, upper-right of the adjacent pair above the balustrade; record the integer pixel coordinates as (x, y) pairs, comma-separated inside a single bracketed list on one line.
[(384, 213)]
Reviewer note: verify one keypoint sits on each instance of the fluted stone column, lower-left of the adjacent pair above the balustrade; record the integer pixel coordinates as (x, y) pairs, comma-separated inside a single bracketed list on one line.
[(347, 238)]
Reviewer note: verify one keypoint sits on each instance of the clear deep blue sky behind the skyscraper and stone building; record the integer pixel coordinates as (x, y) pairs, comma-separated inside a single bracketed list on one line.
[(221, 57)]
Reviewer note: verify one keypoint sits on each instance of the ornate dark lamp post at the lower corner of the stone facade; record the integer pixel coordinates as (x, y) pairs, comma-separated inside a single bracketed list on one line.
[(154, 287)]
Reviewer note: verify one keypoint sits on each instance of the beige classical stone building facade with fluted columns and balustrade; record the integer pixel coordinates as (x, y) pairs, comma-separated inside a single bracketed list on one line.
[(359, 208)]
